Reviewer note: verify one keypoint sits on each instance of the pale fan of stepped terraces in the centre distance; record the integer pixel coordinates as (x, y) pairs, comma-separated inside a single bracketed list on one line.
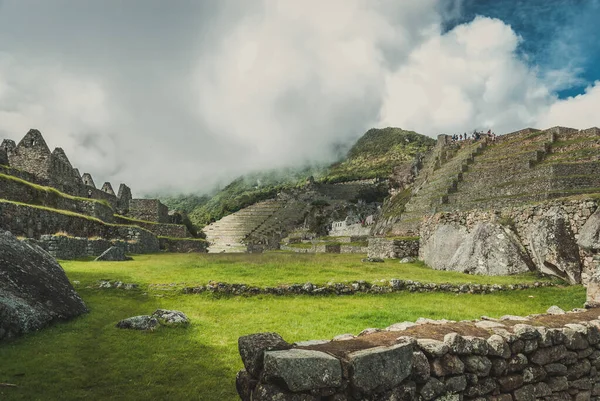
[(229, 233)]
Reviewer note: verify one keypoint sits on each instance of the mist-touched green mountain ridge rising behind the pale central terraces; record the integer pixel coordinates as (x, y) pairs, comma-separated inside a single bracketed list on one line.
[(373, 156)]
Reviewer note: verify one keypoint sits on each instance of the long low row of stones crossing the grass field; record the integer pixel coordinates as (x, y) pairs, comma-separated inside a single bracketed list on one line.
[(358, 287)]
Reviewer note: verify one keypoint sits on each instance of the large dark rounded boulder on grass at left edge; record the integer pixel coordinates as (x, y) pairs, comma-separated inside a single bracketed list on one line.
[(34, 290)]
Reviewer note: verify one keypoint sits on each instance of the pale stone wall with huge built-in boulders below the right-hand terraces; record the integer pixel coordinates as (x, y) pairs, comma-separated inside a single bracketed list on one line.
[(544, 237)]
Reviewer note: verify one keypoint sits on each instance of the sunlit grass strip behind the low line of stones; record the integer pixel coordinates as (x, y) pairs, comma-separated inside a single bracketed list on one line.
[(269, 269)]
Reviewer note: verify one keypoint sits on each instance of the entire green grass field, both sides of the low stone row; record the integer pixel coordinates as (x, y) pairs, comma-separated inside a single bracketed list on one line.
[(89, 358)]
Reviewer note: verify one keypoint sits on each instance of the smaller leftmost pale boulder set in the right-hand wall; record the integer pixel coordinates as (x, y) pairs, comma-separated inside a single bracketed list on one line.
[(437, 250)]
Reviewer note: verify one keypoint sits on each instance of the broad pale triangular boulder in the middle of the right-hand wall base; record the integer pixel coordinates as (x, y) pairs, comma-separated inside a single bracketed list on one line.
[(491, 249)]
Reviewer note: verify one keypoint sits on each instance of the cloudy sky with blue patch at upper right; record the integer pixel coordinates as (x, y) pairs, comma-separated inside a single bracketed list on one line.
[(183, 95)]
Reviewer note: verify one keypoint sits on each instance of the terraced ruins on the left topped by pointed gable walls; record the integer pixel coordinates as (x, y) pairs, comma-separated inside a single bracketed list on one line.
[(69, 203)]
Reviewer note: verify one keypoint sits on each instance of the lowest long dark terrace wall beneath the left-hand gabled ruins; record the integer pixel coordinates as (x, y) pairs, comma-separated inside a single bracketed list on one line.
[(33, 222)]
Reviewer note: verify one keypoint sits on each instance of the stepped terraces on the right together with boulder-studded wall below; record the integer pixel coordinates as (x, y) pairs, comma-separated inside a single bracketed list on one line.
[(488, 207)]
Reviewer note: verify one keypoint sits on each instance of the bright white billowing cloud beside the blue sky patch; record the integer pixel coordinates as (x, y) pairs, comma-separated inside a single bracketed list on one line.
[(465, 79)]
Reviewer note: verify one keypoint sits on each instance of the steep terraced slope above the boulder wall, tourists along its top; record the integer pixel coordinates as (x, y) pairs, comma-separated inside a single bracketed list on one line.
[(529, 167)]
